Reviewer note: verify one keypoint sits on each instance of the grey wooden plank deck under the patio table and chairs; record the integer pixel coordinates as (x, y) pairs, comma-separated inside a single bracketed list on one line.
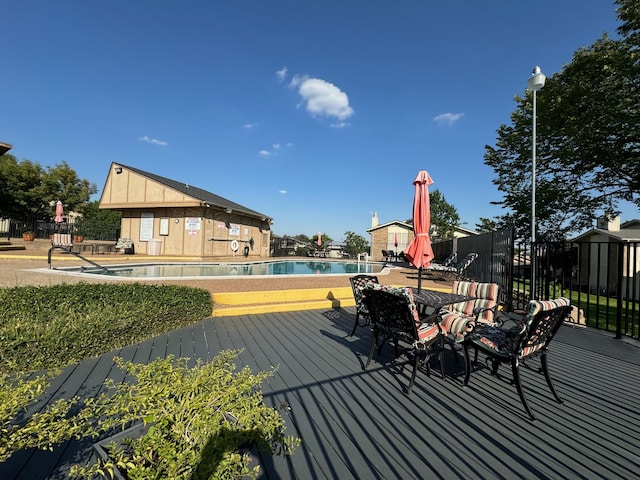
[(361, 424)]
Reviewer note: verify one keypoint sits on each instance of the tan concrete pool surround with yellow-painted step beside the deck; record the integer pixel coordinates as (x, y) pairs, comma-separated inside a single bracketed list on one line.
[(232, 296)]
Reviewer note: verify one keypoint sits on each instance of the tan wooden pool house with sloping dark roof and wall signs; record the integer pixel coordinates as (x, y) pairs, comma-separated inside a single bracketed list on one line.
[(165, 217)]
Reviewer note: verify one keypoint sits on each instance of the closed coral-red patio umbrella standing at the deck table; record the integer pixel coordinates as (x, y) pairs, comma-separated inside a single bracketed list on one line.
[(419, 251)]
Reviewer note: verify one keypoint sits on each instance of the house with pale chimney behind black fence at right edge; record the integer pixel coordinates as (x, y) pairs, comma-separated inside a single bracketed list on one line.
[(598, 265)]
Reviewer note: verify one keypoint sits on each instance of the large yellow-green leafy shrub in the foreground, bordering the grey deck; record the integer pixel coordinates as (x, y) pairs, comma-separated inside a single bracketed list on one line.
[(199, 418)]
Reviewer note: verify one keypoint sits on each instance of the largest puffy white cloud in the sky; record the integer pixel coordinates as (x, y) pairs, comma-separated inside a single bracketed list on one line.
[(323, 99)]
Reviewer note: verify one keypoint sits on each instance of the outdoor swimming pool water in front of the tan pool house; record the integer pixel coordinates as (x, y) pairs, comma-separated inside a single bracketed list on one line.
[(281, 267)]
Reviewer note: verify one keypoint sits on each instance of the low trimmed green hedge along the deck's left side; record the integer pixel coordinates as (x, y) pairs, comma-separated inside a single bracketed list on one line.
[(51, 327)]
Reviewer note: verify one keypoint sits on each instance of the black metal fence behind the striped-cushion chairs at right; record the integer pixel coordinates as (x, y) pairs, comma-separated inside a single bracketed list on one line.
[(602, 279)]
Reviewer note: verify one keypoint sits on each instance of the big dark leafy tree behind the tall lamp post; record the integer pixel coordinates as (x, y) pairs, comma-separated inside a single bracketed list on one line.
[(588, 150)]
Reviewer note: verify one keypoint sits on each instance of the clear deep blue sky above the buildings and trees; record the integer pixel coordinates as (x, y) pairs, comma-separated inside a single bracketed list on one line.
[(313, 113)]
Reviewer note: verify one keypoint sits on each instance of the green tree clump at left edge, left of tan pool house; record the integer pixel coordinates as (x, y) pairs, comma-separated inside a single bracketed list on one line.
[(29, 191)]
